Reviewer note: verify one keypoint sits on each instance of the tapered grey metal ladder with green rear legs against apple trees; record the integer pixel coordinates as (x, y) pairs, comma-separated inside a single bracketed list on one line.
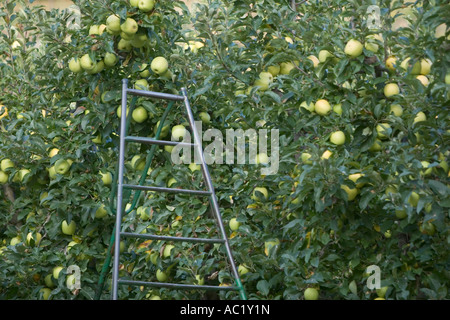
[(122, 188)]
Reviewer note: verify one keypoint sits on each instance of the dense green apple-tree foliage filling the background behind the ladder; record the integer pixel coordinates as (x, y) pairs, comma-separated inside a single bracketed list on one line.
[(333, 209)]
